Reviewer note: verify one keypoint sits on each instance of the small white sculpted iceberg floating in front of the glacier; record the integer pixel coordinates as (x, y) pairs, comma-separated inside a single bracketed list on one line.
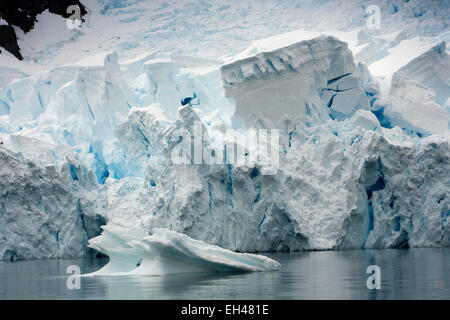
[(131, 252)]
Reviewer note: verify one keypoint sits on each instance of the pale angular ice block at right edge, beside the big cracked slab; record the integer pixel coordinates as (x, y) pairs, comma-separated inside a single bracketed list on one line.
[(418, 93)]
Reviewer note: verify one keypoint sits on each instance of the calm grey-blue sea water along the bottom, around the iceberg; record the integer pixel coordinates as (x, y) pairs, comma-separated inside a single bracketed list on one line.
[(405, 274)]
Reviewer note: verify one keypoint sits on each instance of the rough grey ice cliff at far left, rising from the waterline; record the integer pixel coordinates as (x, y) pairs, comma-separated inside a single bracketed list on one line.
[(46, 211)]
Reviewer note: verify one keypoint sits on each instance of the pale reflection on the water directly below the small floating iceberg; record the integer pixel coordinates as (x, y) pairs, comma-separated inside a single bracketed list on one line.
[(201, 285)]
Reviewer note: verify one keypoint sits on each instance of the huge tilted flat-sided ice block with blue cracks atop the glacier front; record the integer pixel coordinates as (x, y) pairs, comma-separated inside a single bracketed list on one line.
[(288, 81)]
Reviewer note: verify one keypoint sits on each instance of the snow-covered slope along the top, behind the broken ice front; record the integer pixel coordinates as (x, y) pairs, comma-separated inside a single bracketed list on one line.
[(212, 29)]
